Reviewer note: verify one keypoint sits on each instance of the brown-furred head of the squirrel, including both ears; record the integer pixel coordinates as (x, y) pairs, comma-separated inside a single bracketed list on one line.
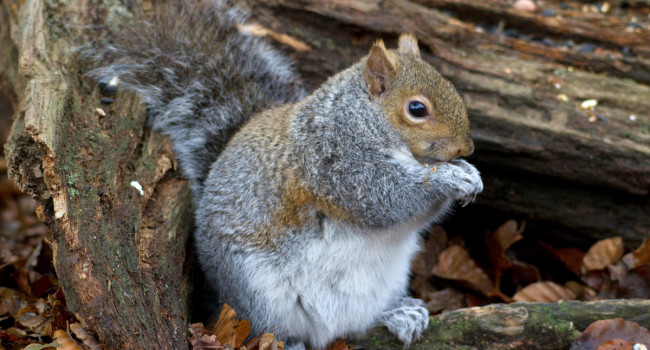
[(420, 104)]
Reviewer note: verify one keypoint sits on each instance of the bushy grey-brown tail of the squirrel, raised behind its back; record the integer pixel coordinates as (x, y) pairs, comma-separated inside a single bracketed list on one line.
[(200, 77)]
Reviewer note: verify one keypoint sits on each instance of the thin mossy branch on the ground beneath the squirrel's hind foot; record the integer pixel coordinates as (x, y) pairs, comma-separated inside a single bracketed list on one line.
[(513, 326)]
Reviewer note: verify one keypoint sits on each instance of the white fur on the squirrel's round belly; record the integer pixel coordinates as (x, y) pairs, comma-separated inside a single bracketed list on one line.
[(342, 282)]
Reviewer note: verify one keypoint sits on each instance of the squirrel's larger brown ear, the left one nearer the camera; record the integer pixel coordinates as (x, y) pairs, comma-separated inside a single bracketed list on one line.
[(379, 69)]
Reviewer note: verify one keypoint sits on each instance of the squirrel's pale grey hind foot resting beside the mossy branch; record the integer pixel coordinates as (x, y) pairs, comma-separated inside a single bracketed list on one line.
[(408, 321)]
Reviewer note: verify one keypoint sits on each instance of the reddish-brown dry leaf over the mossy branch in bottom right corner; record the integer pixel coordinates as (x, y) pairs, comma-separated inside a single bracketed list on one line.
[(617, 328)]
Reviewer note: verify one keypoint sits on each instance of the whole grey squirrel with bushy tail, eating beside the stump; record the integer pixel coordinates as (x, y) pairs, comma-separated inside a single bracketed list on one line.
[(308, 207)]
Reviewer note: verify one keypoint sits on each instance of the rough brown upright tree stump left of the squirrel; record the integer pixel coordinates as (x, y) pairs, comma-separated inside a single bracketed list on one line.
[(119, 213)]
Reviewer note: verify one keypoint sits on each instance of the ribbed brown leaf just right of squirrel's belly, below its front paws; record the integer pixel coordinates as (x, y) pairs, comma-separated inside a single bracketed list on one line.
[(456, 264)]
